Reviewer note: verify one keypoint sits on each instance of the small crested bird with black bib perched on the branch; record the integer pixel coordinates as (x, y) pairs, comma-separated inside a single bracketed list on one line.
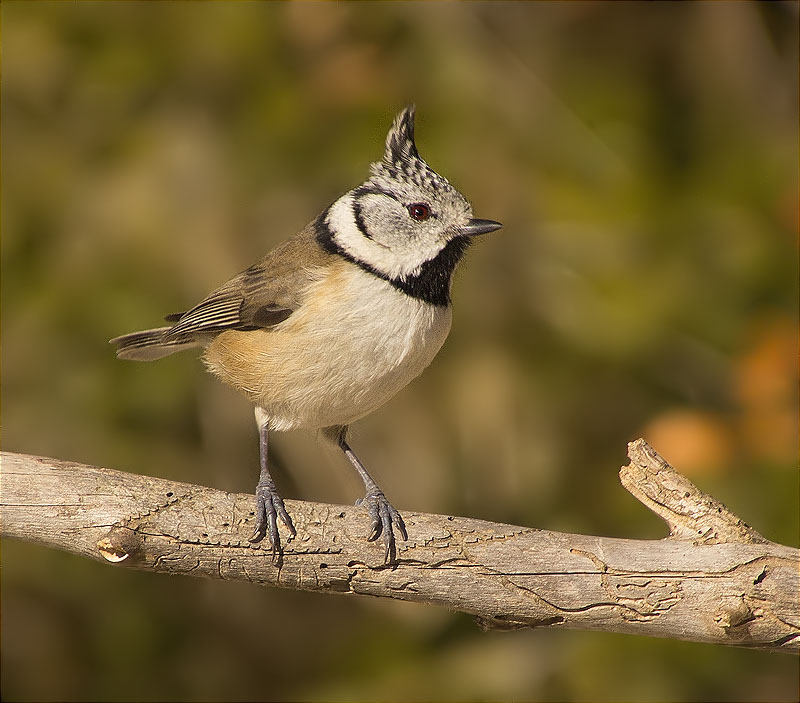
[(336, 320)]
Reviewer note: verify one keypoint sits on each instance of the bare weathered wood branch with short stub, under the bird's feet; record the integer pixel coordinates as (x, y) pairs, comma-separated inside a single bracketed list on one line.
[(714, 579)]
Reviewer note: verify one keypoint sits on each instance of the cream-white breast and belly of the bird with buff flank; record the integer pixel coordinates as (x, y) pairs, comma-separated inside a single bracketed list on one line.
[(339, 357)]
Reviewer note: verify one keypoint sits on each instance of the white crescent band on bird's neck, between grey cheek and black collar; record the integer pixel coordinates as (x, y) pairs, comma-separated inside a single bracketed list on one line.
[(341, 221)]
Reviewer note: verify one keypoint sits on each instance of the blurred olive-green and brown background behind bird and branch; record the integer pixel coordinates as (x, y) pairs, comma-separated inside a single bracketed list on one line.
[(643, 158)]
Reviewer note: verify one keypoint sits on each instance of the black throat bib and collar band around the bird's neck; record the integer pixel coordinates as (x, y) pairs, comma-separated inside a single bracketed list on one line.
[(431, 284)]
